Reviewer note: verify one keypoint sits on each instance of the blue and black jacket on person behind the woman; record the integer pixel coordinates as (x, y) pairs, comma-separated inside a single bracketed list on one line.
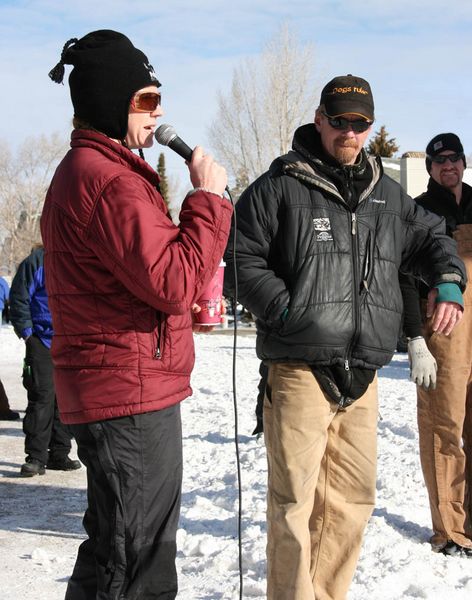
[(29, 309)]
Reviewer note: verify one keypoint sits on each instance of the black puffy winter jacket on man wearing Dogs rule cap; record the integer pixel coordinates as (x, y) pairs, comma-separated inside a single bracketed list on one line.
[(301, 246)]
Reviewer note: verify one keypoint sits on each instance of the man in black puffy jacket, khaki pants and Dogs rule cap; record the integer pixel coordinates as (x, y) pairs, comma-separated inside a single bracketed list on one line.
[(321, 238)]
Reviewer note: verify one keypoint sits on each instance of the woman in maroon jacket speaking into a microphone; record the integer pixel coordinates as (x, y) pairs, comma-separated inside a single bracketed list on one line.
[(122, 280)]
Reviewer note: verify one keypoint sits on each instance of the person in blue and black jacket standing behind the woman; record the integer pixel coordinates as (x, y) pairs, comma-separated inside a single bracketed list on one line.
[(47, 440)]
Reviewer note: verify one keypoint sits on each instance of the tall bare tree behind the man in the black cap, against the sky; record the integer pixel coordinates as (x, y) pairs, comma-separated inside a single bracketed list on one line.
[(269, 98)]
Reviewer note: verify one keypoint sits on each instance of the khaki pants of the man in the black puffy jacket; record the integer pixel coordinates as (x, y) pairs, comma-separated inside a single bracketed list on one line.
[(321, 486)]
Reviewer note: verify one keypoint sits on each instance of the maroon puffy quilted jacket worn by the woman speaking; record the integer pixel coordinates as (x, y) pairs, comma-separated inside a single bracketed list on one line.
[(121, 279)]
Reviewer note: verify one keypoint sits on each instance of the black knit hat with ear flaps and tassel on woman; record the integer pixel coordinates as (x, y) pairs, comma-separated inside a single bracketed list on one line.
[(108, 71)]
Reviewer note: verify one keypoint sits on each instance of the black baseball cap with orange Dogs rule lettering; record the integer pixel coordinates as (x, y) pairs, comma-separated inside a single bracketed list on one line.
[(348, 94)]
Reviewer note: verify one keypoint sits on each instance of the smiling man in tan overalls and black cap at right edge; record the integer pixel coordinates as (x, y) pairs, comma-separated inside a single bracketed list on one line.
[(441, 366)]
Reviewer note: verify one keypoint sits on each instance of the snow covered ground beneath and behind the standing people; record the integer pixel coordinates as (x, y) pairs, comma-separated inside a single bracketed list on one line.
[(40, 518)]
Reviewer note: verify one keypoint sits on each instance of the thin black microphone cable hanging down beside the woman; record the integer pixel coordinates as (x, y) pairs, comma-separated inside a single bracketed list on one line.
[(235, 404)]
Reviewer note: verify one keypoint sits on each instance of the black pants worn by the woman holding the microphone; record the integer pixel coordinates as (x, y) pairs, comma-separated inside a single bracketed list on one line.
[(134, 476)]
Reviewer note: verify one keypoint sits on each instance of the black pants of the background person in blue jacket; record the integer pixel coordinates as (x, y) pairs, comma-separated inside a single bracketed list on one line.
[(42, 427)]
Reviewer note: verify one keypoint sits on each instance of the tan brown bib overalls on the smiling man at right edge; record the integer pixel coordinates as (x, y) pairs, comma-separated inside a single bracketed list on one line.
[(445, 421)]
